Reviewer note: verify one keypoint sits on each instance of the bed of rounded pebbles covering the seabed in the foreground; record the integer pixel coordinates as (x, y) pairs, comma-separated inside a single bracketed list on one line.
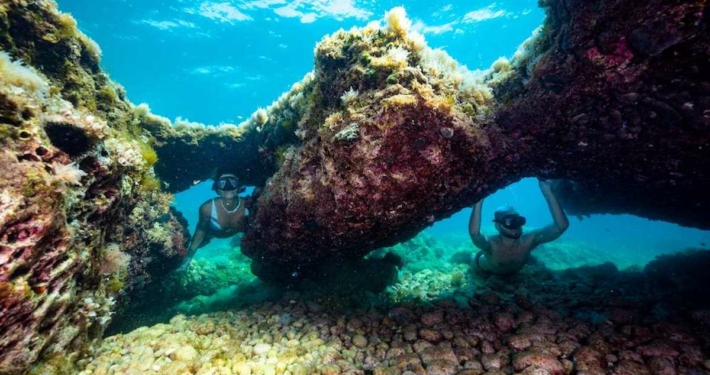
[(433, 340)]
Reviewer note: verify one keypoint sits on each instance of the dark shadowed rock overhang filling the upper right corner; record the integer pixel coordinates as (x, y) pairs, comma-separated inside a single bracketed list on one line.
[(618, 100)]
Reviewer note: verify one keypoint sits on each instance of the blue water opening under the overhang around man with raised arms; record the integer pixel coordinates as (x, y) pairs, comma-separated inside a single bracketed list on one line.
[(624, 239)]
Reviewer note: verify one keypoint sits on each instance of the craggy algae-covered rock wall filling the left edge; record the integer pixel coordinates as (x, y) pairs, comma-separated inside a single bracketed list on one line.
[(82, 220)]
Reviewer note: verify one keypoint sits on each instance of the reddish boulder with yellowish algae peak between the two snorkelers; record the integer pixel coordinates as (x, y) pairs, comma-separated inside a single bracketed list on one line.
[(391, 141)]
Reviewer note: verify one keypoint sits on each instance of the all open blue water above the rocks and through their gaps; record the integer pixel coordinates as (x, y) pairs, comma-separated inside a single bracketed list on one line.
[(216, 62)]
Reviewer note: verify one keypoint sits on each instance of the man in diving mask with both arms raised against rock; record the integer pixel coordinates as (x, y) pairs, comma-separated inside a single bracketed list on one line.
[(507, 252)]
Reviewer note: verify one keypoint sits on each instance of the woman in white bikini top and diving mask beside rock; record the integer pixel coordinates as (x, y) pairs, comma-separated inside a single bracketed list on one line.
[(219, 217)]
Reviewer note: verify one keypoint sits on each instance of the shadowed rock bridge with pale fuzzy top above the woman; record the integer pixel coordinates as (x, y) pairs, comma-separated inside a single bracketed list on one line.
[(191, 152)]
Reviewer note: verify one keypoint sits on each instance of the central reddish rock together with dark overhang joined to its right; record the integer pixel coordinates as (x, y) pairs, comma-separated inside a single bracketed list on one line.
[(396, 136)]
